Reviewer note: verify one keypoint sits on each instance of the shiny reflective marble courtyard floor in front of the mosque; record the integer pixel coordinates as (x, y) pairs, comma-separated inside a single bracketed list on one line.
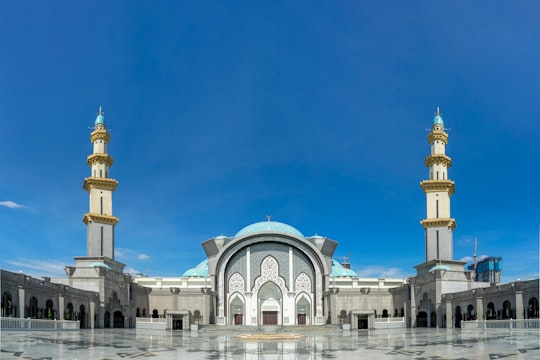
[(109, 344)]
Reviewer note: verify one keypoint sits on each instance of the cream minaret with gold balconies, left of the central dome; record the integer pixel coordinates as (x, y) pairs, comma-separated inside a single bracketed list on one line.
[(100, 220)]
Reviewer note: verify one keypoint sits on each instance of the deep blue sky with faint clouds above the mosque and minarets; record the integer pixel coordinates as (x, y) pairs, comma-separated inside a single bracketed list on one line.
[(312, 112)]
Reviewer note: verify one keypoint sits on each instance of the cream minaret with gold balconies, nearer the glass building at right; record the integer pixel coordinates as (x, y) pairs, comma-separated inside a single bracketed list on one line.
[(438, 224)]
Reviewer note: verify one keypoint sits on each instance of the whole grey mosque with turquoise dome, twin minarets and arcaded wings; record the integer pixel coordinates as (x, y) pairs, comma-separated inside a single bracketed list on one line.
[(268, 273)]
